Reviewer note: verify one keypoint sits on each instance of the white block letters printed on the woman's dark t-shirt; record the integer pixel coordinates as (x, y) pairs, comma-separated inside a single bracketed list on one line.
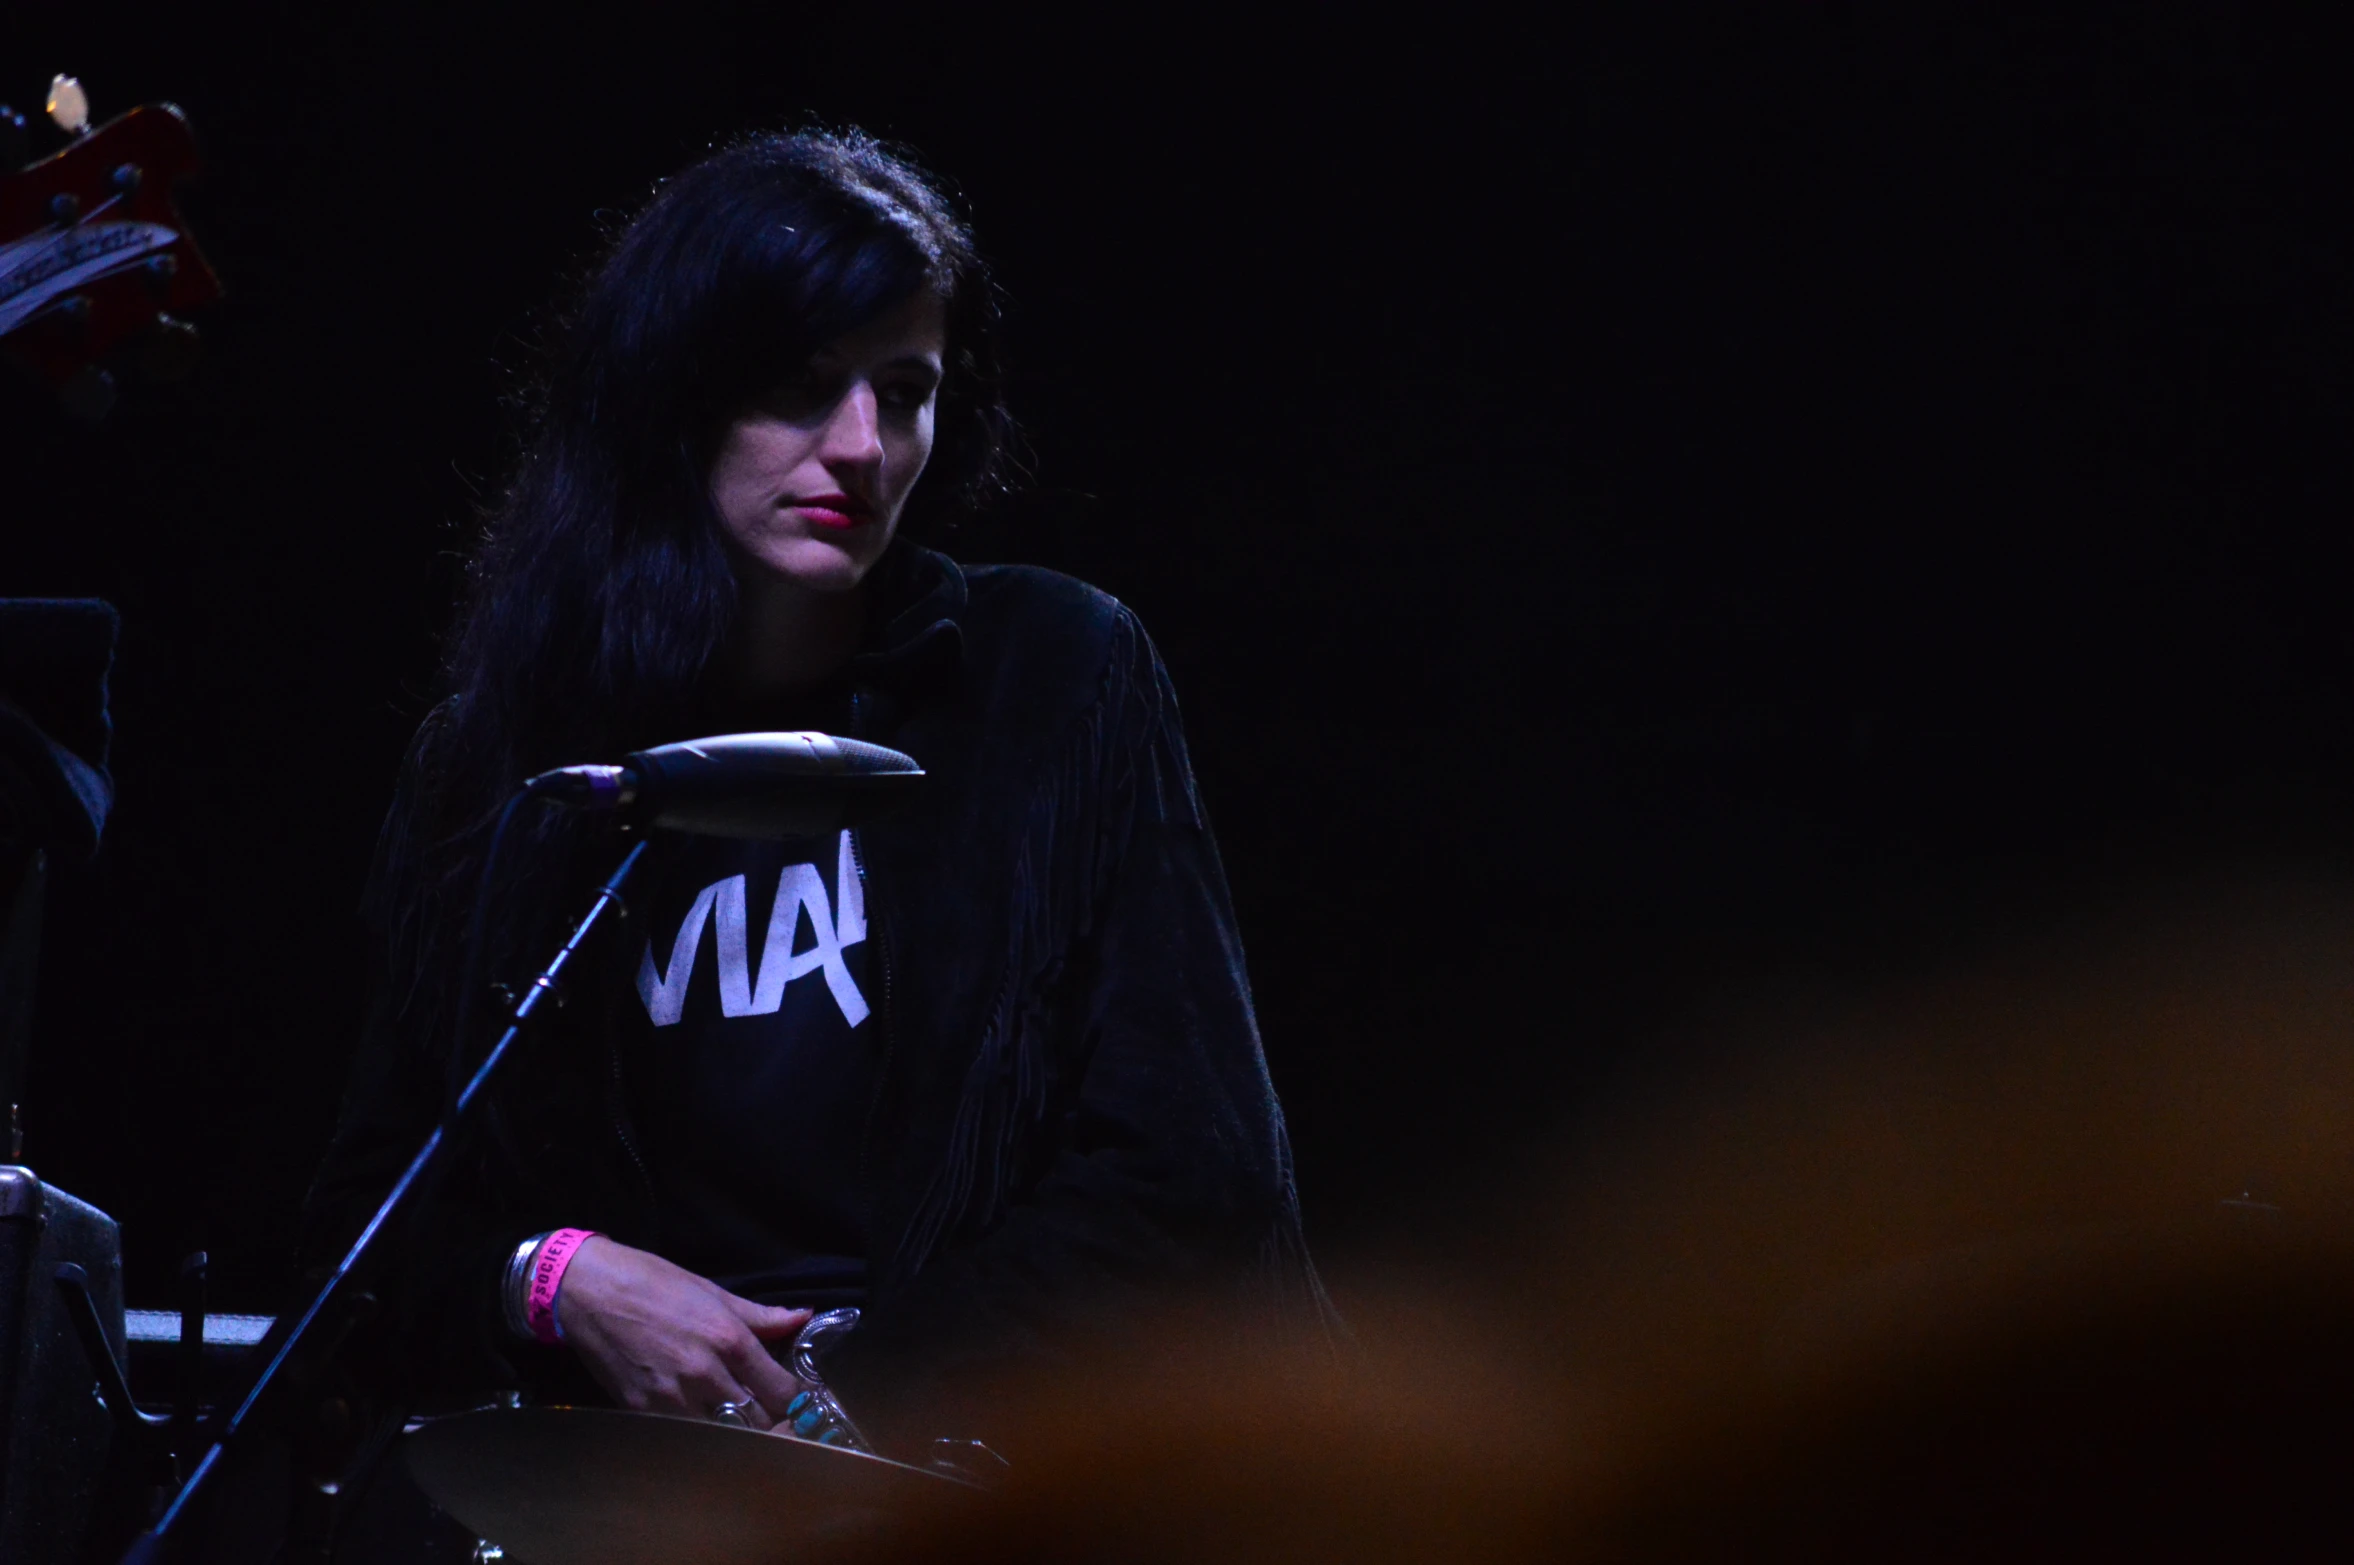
[(837, 924)]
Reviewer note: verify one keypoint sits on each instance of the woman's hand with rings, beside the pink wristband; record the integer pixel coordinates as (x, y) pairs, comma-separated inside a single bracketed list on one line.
[(665, 1340)]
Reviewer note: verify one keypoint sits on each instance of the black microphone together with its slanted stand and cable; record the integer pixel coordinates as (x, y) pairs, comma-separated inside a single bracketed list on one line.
[(787, 794)]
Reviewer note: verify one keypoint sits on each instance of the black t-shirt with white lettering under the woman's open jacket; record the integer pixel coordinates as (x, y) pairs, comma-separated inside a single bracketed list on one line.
[(754, 1063)]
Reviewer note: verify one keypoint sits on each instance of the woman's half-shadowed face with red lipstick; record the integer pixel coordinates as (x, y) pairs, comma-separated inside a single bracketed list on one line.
[(811, 481)]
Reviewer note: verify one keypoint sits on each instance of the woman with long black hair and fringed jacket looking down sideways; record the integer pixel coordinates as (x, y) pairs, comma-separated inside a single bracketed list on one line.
[(985, 1070)]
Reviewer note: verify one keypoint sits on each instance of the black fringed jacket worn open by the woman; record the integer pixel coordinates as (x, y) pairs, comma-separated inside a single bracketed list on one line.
[(1075, 1124)]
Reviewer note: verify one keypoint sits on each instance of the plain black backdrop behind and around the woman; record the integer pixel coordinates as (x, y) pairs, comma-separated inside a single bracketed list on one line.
[(1632, 510)]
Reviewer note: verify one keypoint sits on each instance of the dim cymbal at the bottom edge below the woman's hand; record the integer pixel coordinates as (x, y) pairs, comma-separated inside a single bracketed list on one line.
[(594, 1486)]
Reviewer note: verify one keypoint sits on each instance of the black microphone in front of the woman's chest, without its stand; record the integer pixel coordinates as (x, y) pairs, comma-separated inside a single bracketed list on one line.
[(743, 785)]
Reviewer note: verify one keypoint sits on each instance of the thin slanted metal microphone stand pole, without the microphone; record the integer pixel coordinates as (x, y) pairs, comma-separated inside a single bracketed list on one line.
[(331, 1314)]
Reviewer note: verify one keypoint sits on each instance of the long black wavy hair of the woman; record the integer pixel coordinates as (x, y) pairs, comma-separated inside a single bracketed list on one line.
[(601, 597)]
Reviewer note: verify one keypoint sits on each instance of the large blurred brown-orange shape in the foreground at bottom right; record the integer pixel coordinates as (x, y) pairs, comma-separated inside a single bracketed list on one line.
[(1946, 1270)]
